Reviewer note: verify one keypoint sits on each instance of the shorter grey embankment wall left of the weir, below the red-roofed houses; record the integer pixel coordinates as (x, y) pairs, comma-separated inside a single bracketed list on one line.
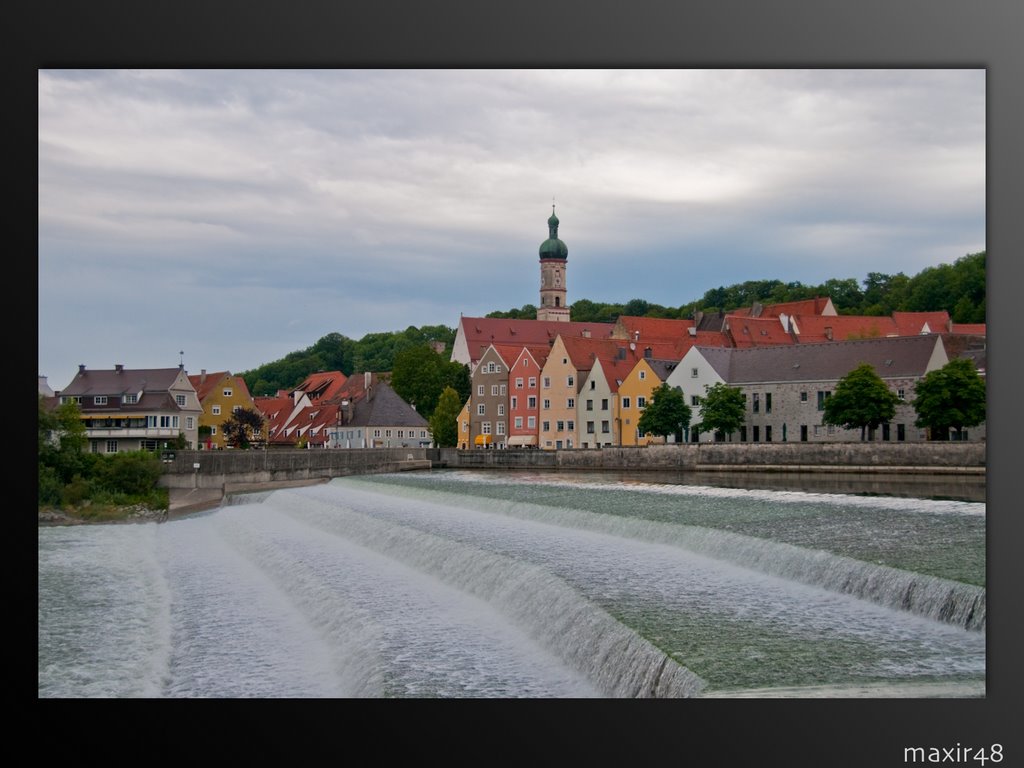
[(217, 470)]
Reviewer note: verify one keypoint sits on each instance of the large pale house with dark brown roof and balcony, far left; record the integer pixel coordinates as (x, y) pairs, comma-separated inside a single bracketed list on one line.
[(136, 410)]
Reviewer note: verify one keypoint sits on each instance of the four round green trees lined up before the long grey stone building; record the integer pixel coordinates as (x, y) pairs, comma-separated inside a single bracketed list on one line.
[(949, 399)]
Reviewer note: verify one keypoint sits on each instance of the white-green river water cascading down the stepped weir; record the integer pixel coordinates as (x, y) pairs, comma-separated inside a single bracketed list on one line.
[(445, 585)]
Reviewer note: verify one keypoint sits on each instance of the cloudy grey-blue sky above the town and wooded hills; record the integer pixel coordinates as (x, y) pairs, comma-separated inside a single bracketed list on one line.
[(239, 216)]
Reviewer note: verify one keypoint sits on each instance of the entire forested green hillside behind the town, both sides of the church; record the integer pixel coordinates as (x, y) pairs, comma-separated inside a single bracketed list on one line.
[(958, 288)]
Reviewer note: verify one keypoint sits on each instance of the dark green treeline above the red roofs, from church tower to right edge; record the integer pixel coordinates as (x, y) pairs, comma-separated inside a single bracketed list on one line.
[(958, 288)]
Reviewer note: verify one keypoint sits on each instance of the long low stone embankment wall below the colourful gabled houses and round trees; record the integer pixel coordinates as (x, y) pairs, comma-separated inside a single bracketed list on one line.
[(795, 457)]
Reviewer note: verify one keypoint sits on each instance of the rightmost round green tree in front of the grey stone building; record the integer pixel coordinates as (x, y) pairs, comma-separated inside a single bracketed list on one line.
[(952, 398)]
